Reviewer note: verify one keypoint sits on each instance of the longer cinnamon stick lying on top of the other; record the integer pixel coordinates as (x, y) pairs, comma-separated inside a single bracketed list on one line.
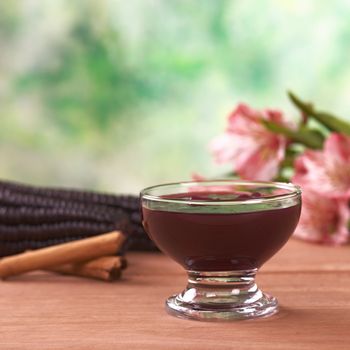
[(72, 252)]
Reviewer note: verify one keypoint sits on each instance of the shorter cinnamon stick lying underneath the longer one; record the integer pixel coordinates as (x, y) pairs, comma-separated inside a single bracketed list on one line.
[(106, 268)]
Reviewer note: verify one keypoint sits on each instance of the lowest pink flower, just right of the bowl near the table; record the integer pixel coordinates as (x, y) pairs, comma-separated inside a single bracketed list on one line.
[(323, 219)]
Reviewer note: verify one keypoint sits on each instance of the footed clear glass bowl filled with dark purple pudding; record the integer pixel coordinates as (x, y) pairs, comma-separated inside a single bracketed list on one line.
[(221, 232)]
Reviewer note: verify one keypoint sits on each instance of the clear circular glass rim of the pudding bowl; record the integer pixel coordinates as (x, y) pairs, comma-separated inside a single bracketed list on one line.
[(294, 192)]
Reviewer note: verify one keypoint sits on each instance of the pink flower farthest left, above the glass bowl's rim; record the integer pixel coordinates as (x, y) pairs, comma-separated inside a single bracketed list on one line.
[(254, 151)]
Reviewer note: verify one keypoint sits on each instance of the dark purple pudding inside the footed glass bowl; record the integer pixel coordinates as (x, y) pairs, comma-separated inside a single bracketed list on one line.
[(219, 241)]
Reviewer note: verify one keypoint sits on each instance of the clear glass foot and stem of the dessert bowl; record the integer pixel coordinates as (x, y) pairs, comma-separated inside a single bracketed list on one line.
[(221, 296)]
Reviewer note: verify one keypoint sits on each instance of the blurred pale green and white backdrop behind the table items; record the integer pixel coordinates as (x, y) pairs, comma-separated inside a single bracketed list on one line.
[(118, 95)]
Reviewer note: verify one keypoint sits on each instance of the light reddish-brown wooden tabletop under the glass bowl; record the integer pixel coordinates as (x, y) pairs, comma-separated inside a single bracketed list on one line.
[(46, 311)]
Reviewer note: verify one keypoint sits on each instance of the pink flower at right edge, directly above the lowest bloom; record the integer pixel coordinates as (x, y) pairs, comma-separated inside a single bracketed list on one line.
[(327, 171)]
